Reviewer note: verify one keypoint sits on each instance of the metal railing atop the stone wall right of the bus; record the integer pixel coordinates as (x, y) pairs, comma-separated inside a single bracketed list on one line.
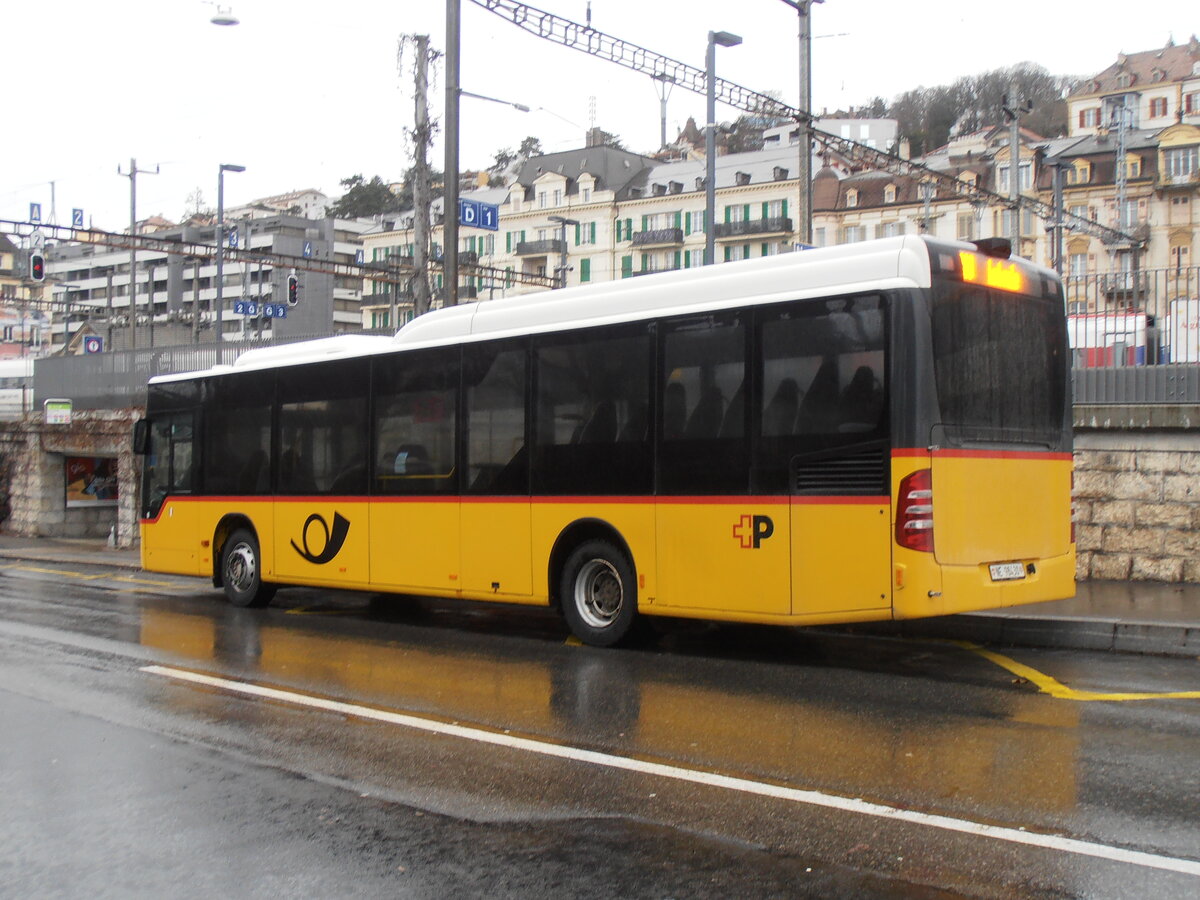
[(1136, 337)]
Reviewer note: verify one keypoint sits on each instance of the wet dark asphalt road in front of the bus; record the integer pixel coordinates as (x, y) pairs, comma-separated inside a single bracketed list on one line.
[(711, 763)]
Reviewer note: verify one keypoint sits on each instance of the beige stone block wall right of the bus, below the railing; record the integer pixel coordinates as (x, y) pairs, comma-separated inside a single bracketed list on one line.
[(1138, 506)]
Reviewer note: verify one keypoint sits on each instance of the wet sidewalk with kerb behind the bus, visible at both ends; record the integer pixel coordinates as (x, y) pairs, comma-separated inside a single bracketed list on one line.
[(1125, 617)]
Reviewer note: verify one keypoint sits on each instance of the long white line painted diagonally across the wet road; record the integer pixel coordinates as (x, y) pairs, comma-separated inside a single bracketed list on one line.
[(813, 799)]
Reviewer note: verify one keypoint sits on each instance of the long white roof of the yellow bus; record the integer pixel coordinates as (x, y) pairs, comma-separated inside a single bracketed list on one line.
[(851, 268)]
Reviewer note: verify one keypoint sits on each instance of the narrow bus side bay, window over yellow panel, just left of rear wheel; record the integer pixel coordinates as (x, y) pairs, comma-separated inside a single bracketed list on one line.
[(496, 547)]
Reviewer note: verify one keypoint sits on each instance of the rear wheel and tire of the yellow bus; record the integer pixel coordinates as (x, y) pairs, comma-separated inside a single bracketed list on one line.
[(599, 595)]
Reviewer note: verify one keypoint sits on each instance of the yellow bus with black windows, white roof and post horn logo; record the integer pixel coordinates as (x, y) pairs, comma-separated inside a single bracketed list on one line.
[(854, 434)]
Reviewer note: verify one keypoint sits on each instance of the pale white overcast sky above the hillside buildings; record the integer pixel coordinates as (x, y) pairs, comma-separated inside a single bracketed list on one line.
[(304, 94)]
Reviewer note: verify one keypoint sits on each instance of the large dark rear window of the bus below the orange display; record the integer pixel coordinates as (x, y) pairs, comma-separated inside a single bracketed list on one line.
[(1000, 364)]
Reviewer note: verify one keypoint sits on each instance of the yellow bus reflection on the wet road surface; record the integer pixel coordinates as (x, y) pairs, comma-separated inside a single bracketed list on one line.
[(866, 731)]
